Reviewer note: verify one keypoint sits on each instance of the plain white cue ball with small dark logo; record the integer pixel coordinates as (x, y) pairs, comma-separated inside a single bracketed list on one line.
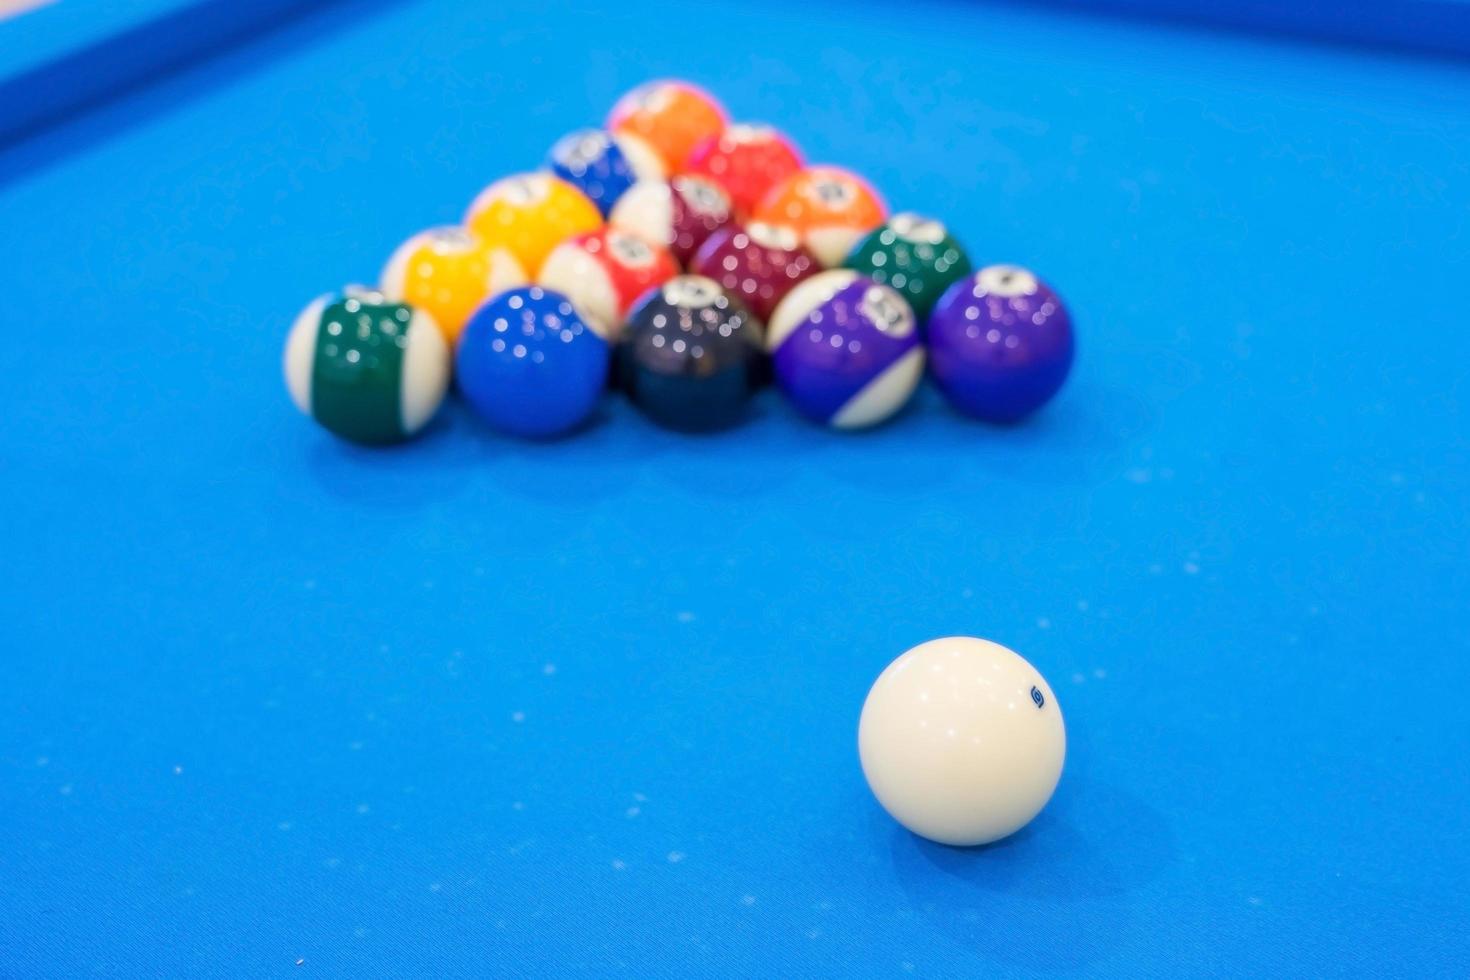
[(962, 741)]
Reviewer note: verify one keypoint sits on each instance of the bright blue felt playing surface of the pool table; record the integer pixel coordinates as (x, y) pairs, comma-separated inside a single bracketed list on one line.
[(477, 707)]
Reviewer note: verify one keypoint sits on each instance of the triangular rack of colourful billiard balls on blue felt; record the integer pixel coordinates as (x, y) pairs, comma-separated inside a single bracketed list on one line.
[(689, 261)]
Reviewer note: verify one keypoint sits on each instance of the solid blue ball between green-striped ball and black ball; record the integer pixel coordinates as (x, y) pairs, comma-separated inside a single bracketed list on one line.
[(530, 367)]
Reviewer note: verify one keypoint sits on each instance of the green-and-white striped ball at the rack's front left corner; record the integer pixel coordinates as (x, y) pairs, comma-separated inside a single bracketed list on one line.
[(367, 370)]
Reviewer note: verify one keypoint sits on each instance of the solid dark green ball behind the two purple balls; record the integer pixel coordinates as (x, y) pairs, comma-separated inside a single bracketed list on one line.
[(914, 255)]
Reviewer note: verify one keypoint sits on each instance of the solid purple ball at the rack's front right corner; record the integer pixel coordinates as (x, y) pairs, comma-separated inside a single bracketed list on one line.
[(1000, 345)]
